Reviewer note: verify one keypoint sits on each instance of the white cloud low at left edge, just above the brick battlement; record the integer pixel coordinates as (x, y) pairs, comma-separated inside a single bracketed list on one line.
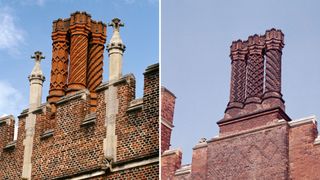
[(10, 99)]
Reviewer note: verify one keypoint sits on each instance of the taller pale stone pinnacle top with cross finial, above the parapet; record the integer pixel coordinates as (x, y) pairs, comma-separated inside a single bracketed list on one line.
[(116, 49)]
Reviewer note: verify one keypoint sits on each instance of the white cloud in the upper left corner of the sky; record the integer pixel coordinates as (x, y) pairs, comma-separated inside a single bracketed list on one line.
[(11, 36)]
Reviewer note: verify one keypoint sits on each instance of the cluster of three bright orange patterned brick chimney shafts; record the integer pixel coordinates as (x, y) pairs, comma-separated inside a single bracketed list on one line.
[(77, 56)]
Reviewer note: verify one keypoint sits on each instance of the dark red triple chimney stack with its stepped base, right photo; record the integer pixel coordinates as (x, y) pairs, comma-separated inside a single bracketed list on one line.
[(255, 82)]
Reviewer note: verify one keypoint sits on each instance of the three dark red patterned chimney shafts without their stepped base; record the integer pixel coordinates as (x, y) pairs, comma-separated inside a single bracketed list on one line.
[(256, 73)]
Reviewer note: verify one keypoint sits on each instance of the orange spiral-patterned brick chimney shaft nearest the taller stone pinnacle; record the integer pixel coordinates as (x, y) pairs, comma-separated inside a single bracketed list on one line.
[(95, 64)]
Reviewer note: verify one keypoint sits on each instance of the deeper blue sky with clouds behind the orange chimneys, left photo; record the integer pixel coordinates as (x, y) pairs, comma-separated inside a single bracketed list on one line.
[(26, 25)]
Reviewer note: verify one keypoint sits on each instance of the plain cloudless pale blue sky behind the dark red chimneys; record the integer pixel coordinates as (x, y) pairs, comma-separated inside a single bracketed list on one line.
[(196, 36)]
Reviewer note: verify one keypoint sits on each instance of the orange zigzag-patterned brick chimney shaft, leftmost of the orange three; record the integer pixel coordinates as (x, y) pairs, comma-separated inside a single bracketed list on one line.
[(59, 70)]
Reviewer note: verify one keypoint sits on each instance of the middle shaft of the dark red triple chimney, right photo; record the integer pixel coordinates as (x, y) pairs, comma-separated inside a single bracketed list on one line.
[(255, 69)]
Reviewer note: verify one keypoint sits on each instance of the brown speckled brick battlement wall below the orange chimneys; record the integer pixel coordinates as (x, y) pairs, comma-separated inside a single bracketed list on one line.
[(69, 137)]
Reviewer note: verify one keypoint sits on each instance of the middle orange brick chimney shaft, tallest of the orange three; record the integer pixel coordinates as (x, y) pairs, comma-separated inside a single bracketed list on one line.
[(80, 24)]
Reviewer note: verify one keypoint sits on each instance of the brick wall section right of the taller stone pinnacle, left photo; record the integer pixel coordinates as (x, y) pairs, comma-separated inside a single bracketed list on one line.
[(138, 130)]
